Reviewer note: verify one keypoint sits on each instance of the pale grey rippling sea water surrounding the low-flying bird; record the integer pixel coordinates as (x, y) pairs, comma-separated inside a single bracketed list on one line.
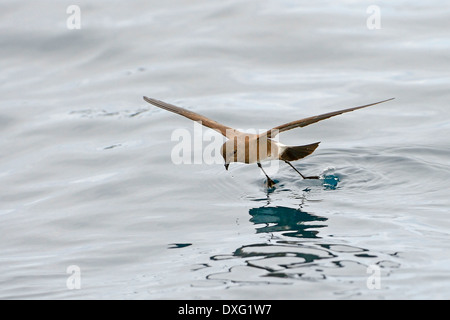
[(87, 178)]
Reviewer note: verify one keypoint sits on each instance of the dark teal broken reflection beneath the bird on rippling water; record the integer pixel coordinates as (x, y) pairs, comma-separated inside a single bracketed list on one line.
[(310, 257)]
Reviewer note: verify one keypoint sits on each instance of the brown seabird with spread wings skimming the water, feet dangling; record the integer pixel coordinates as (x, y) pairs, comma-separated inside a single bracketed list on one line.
[(254, 148)]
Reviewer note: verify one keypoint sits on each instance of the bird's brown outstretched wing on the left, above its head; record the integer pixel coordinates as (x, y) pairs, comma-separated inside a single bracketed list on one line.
[(224, 130)]
